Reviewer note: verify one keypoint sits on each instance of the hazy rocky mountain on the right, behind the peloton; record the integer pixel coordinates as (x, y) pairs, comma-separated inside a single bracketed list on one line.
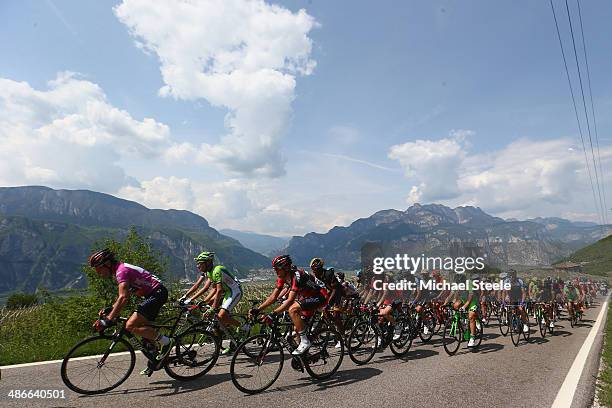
[(437, 230)]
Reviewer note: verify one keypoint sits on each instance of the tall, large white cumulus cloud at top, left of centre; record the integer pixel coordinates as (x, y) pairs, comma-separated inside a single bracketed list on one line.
[(243, 55)]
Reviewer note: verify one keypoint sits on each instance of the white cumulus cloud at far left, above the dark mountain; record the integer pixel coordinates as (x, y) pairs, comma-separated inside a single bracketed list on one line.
[(70, 136)]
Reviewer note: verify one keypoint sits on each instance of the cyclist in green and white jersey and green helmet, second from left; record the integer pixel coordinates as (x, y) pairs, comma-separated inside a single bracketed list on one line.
[(225, 294)]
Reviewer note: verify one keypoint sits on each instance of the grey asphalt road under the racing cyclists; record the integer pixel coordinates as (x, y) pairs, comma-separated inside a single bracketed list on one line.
[(497, 375)]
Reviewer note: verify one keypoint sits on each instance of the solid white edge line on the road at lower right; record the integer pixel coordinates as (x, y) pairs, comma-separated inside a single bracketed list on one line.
[(565, 396)]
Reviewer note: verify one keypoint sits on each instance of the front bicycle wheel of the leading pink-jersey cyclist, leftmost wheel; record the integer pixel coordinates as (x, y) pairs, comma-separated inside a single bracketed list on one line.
[(102, 374)]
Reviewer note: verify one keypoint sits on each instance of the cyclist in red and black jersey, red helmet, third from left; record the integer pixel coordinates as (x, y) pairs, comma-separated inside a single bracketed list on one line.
[(305, 296)]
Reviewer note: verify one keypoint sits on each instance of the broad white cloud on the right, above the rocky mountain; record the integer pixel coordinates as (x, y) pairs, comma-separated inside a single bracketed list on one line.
[(523, 179)]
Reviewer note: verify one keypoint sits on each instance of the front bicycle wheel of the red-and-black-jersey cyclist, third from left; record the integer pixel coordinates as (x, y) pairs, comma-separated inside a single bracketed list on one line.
[(255, 374)]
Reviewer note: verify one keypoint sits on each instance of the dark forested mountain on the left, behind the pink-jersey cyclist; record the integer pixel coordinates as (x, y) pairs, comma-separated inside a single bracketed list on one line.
[(46, 236)]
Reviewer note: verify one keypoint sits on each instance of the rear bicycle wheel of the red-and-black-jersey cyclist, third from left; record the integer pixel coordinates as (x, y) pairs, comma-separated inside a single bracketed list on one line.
[(324, 357)]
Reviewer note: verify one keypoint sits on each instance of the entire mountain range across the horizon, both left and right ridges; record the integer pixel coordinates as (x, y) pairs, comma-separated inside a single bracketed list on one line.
[(46, 236)]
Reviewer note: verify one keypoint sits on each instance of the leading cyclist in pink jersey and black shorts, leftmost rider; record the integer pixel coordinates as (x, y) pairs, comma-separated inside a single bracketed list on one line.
[(133, 280)]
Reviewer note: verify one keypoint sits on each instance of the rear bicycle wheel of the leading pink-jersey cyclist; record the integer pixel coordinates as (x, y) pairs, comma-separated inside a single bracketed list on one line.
[(195, 353)]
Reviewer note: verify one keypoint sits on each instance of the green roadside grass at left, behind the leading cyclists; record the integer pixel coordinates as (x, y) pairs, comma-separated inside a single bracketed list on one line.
[(48, 331)]
